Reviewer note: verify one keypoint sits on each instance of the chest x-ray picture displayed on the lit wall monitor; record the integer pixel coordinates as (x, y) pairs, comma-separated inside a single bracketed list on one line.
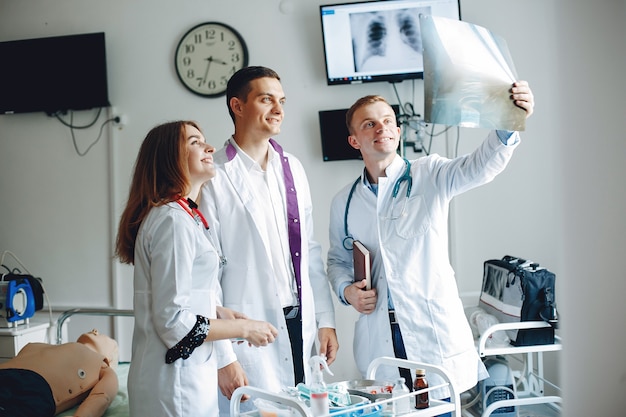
[(389, 39)]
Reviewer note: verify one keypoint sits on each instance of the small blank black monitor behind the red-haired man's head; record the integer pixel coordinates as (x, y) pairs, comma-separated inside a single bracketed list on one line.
[(334, 134)]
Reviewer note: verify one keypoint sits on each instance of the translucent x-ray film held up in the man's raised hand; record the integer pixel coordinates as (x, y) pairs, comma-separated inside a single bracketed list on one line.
[(468, 72)]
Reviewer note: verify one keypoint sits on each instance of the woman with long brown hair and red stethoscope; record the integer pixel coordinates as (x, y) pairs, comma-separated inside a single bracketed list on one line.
[(162, 233)]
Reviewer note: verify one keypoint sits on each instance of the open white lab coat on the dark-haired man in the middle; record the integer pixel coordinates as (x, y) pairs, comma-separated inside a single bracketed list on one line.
[(247, 279)]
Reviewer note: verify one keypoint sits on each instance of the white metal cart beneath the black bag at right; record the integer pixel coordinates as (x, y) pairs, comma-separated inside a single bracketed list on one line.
[(530, 380)]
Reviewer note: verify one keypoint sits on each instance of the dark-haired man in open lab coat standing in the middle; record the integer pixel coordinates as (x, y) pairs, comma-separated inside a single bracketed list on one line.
[(260, 211)]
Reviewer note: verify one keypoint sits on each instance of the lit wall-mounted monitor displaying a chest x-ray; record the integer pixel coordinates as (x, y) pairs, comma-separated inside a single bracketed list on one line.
[(373, 41)]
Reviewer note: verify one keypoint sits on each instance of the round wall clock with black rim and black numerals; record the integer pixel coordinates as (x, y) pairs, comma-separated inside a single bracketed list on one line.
[(207, 56)]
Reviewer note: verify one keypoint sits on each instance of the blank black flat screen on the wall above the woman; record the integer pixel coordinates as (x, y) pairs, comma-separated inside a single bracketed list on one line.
[(53, 74)]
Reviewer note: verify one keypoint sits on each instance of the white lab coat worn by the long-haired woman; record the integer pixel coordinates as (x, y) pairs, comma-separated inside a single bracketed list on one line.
[(175, 279)]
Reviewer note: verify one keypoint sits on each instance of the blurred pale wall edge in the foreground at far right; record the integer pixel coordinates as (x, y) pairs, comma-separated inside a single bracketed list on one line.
[(591, 119)]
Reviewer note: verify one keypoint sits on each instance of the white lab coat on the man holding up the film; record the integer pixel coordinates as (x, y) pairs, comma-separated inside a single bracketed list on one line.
[(410, 256)]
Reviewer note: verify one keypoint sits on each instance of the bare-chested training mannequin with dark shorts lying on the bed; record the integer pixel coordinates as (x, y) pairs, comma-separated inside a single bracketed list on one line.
[(44, 380)]
